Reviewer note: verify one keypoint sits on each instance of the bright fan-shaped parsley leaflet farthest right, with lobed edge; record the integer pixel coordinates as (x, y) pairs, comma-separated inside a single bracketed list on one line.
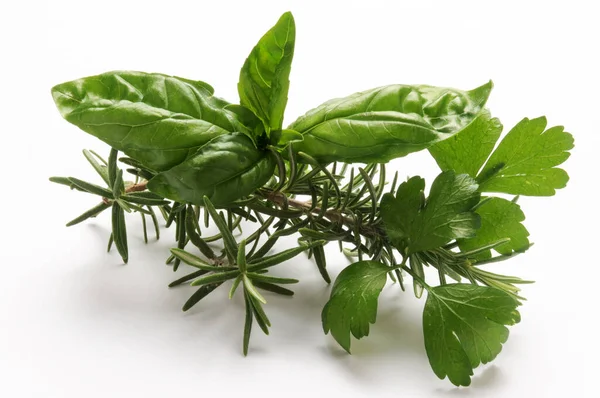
[(524, 162)]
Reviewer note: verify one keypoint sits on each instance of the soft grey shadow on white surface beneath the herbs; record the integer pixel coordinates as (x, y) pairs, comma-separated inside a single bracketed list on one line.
[(102, 296)]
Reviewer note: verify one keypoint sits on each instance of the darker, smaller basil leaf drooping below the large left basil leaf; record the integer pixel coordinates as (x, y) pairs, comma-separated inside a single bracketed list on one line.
[(225, 169)]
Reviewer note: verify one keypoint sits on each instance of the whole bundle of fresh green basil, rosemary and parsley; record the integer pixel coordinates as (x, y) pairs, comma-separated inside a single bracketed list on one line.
[(198, 159)]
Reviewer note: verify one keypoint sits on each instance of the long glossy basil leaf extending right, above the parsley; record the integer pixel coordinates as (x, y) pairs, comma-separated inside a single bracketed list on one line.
[(387, 122)]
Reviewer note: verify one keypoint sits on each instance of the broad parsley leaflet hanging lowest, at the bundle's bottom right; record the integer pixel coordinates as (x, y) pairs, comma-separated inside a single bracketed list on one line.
[(463, 326)]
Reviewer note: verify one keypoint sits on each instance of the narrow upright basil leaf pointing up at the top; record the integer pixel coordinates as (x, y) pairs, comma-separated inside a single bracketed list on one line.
[(264, 78)]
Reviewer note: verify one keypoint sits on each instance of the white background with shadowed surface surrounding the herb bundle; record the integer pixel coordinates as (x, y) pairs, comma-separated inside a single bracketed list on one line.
[(75, 322)]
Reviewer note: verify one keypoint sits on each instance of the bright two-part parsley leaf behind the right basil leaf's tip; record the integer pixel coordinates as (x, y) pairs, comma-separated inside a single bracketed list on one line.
[(523, 164)]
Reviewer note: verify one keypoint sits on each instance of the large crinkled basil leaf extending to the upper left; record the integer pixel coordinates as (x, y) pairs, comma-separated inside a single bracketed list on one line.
[(156, 119)]
